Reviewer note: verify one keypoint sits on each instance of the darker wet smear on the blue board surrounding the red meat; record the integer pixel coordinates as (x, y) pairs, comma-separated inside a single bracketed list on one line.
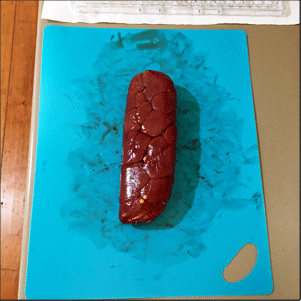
[(209, 151)]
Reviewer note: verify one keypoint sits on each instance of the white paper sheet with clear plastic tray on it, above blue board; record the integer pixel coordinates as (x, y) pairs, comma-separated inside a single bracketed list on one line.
[(177, 13)]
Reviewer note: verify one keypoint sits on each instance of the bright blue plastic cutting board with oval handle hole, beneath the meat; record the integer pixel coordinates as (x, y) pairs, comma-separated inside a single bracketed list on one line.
[(78, 249)]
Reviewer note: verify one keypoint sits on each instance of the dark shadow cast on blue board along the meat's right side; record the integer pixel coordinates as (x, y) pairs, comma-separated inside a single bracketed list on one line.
[(188, 155)]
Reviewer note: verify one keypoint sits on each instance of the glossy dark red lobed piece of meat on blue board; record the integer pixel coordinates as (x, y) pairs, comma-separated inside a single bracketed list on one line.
[(149, 147)]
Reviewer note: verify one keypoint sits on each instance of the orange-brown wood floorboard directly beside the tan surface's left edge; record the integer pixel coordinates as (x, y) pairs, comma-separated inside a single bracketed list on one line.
[(16, 144)]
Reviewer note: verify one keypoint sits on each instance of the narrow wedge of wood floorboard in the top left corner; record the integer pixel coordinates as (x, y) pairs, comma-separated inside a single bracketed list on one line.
[(8, 13)]
